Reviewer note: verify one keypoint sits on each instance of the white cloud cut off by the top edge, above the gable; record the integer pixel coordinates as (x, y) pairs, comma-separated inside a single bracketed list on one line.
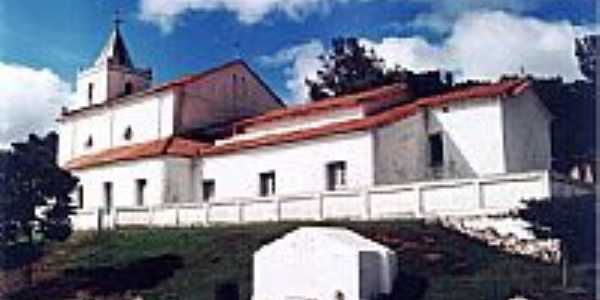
[(165, 12)]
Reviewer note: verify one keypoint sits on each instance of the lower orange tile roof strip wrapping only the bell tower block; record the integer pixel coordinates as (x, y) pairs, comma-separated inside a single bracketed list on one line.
[(173, 146)]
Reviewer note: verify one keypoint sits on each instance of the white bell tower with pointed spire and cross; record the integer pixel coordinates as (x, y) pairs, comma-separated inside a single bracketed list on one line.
[(113, 73)]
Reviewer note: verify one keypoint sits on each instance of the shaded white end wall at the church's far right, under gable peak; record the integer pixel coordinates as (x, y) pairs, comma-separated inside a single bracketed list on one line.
[(527, 138)]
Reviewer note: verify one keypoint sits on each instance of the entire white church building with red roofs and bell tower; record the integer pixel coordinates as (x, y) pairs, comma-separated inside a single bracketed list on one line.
[(219, 136)]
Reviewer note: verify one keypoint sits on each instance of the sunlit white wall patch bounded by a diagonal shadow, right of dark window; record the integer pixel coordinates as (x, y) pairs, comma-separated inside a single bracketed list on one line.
[(474, 130)]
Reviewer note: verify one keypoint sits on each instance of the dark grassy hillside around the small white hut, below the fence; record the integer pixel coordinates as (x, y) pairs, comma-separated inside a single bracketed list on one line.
[(189, 263)]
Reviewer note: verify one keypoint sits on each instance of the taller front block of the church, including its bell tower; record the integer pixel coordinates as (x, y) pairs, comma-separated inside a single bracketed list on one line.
[(121, 112)]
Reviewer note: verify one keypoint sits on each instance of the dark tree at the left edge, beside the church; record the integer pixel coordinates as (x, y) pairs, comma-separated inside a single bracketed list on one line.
[(35, 201)]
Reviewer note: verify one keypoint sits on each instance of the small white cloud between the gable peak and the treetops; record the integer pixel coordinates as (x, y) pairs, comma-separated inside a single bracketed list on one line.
[(300, 62)]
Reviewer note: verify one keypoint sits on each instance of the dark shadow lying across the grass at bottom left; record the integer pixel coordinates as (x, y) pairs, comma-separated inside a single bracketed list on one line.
[(105, 281)]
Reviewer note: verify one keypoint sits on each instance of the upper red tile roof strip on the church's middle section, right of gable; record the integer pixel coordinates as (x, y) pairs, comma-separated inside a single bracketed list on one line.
[(347, 101)]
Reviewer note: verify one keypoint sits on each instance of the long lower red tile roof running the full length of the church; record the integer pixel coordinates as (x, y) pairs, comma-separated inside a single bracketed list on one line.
[(176, 146)]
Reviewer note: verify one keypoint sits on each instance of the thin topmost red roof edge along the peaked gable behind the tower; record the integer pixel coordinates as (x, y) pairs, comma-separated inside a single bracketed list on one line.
[(170, 85)]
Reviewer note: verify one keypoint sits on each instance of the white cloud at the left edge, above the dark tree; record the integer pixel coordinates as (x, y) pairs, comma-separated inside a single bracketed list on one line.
[(30, 101)]
